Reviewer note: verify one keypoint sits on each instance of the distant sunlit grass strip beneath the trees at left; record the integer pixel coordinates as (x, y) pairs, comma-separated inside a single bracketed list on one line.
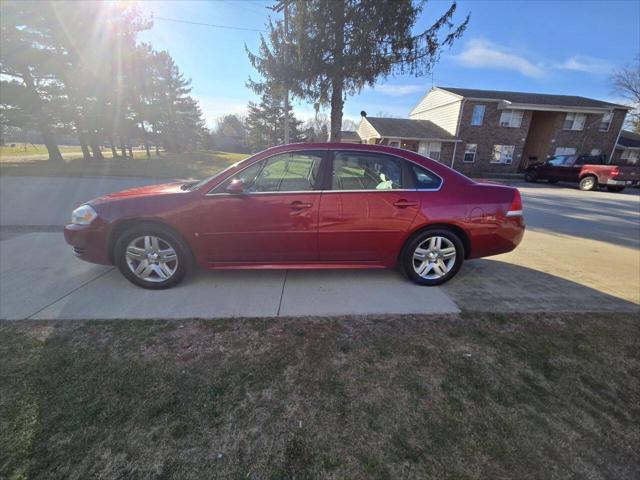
[(167, 165)]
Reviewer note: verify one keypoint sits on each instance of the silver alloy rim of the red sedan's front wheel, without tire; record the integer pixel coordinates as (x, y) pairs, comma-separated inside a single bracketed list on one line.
[(151, 258)]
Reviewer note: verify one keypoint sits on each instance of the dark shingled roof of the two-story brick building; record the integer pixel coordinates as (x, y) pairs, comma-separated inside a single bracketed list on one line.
[(533, 98)]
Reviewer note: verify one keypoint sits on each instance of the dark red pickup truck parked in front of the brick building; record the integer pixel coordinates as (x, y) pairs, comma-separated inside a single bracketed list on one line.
[(588, 171)]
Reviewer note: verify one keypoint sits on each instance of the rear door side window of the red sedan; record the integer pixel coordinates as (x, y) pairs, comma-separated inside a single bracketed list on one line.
[(365, 171)]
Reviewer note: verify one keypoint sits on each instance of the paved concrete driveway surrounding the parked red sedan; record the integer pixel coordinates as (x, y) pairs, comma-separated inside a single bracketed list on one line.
[(581, 253)]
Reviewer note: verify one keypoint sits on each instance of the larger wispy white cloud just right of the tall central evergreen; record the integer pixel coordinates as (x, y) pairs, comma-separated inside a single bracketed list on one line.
[(484, 54)]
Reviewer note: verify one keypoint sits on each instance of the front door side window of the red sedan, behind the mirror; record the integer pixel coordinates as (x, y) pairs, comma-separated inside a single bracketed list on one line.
[(286, 172)]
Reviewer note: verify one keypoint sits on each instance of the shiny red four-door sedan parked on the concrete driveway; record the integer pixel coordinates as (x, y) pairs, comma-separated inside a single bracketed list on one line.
[(328, 205)]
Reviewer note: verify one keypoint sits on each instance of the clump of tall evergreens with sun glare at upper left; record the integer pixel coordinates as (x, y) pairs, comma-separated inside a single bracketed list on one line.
[(78, 66)]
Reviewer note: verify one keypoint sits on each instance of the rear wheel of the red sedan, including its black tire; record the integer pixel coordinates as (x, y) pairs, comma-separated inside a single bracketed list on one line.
[(426, 241)]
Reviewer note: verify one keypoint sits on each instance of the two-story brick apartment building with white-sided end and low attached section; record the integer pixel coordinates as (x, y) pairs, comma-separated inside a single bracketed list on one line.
[(484, 131)]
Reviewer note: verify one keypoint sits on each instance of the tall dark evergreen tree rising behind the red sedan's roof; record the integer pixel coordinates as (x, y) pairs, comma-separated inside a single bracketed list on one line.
[(336, 47)]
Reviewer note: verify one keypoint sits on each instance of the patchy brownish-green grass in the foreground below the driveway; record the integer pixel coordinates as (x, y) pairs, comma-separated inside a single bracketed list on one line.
[(459, 397)]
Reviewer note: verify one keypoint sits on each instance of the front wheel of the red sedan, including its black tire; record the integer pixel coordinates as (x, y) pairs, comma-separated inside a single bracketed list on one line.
[(137, 246)]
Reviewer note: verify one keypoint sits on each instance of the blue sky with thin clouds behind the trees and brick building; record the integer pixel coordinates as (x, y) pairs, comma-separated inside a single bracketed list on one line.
[(564, 47)]
